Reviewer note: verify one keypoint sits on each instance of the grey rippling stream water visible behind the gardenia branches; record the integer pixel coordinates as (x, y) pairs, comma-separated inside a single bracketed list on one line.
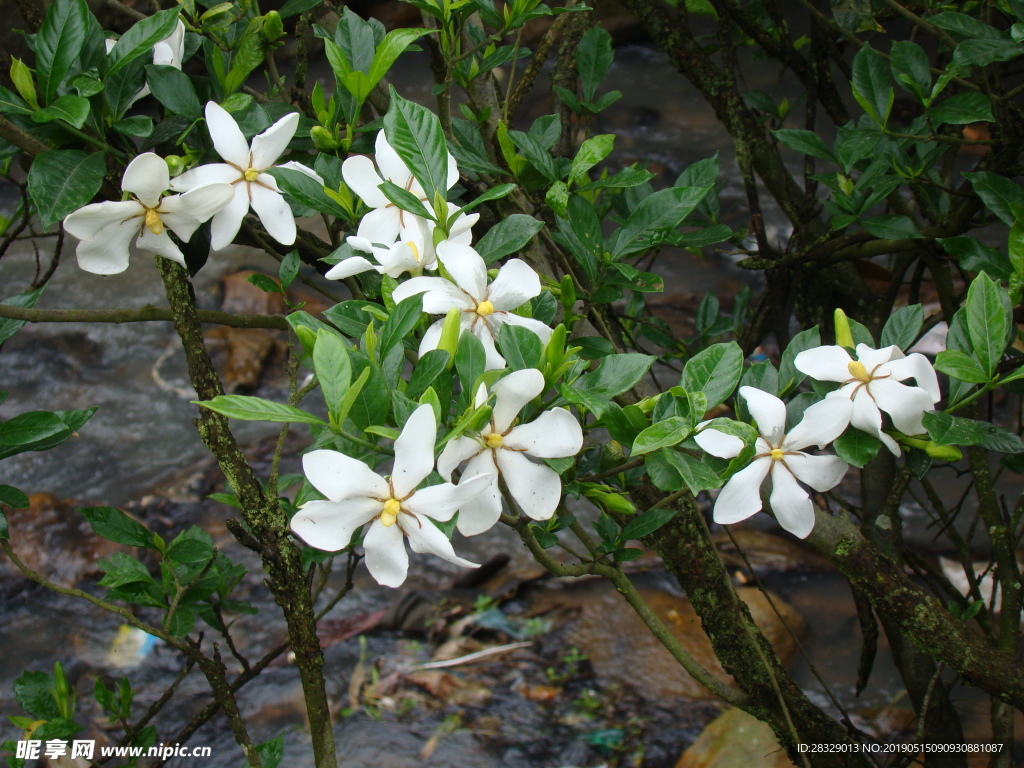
[(142, 437)]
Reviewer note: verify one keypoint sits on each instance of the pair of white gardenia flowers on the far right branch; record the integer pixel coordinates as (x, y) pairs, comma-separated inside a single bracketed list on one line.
[(870, 386)]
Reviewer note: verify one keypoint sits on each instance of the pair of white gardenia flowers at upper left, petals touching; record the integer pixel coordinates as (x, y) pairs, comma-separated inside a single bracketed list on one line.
[(224, 192)]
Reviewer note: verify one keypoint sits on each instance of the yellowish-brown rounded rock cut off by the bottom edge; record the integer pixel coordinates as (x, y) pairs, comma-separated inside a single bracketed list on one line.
[(736, 740)]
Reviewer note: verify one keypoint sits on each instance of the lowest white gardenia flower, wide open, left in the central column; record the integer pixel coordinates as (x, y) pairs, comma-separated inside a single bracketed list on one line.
[(357, 495)]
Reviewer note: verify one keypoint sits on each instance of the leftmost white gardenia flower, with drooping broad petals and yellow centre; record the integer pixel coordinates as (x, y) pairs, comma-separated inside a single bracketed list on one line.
[(107, 230)]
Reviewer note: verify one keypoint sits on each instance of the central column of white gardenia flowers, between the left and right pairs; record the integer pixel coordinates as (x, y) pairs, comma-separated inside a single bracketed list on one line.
[(404, 243)]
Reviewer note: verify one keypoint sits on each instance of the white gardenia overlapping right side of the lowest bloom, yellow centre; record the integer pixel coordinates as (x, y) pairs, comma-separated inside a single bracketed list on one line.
[(502, 448)]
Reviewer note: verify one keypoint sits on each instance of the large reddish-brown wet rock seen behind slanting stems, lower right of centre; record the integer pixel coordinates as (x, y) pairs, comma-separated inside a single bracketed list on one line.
[(622, 651)]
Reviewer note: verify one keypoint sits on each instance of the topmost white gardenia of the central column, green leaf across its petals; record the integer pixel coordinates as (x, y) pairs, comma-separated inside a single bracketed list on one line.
[(389, 224)]
